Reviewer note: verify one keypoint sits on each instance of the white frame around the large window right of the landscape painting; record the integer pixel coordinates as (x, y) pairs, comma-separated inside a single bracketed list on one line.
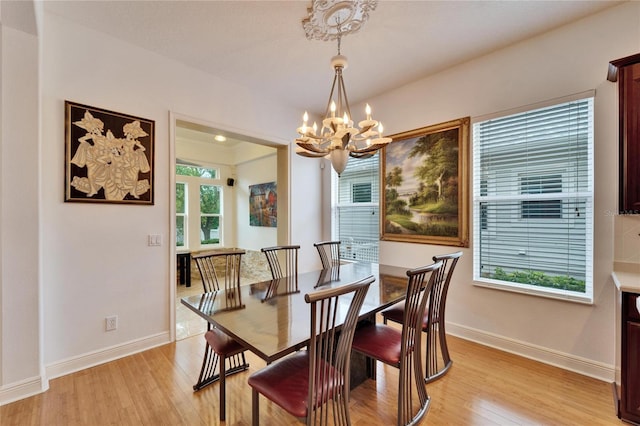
[(529, 289)]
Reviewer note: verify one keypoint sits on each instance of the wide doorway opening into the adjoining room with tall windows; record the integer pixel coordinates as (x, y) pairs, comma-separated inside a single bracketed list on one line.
[(225, 164)]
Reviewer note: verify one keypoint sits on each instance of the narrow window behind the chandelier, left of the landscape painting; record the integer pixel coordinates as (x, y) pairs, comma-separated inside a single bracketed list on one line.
[(356, 217)]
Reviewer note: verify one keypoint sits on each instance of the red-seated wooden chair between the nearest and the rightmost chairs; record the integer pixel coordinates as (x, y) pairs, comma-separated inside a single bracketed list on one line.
[(402, 348)]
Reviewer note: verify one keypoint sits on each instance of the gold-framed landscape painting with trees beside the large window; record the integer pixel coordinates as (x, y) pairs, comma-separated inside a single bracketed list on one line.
[(425, 176)]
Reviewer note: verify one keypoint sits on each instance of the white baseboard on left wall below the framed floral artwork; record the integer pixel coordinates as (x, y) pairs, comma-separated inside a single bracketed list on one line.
[(91, 359)]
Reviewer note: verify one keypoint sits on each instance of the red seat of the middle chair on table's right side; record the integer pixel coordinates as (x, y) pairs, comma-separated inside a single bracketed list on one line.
[(380, 342)]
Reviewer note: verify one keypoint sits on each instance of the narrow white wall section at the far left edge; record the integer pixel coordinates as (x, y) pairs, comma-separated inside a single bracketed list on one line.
[(20, 342)]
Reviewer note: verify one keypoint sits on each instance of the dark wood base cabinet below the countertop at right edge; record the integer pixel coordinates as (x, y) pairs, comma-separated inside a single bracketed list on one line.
[(629, 409)]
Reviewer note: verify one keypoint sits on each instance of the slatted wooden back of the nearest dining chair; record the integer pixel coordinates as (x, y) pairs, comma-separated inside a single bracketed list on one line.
[(330, 351)]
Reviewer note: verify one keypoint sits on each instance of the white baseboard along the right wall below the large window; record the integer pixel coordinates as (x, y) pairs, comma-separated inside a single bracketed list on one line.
[(587, 367)]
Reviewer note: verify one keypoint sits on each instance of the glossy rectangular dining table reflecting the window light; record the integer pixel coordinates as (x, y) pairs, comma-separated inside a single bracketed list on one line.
[(271, 318)]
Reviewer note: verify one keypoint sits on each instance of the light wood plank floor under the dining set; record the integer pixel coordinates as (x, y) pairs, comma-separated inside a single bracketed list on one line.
[(484, 387)]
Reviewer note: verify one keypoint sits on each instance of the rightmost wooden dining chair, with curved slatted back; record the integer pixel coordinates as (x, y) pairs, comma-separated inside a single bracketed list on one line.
[(436, 341)]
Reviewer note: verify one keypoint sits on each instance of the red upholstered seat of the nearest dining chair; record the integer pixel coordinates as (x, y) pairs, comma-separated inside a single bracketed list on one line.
[(287, 383)]
